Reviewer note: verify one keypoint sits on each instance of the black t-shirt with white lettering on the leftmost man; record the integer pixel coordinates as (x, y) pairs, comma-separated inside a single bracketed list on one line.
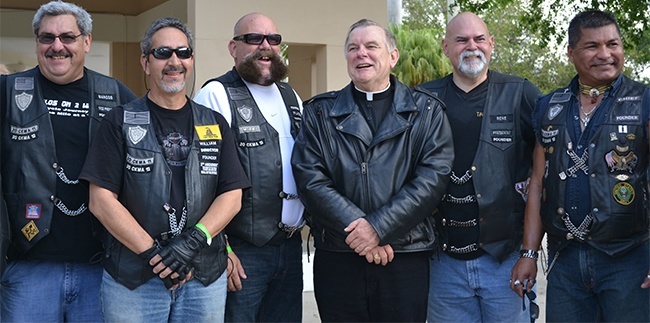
[(71, 237)]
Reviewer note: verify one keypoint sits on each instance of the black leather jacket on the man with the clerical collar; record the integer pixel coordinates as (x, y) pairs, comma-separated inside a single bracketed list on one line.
[(395, 179)]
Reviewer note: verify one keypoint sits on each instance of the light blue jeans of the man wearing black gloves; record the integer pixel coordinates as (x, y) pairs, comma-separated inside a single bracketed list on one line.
[(152, 302)]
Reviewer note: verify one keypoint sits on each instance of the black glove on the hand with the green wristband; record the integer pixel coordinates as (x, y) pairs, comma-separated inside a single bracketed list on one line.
[(178, 254)]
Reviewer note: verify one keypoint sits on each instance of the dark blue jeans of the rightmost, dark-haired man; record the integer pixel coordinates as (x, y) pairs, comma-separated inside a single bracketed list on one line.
[(586, 284)]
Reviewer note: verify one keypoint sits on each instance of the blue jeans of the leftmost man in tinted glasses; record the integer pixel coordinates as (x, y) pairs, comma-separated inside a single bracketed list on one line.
[(49, 291)]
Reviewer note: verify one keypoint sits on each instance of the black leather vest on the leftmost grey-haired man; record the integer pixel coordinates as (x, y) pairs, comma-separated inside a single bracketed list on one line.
[(29, 151)]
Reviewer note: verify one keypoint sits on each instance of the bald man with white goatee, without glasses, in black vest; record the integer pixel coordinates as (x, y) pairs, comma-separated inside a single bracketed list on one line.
[(480, 221)]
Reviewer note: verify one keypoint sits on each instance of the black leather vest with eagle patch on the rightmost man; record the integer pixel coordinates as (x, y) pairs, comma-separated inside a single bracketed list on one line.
[(618, 165)]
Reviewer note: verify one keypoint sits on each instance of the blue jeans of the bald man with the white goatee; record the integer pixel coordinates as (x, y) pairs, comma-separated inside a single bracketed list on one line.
[(476, 290)]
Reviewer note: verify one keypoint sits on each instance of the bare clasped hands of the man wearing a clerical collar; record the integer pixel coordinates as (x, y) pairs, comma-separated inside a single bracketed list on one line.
[(363, 239)]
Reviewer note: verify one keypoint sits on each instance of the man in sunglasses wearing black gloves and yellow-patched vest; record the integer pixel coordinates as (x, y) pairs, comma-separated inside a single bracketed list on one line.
[(164, 180)]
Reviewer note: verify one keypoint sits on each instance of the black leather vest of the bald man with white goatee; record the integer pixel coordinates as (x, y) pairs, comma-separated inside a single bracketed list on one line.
[(502, 159)]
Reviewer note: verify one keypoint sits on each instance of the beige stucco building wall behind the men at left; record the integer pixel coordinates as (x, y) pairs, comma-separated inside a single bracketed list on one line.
[(314, 29)]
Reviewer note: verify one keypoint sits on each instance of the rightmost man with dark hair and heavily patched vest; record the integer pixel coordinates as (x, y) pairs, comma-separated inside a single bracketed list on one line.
[(589, 189)]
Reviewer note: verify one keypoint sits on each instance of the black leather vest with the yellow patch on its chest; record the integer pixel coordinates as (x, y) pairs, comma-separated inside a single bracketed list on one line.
[(144, 168)]
